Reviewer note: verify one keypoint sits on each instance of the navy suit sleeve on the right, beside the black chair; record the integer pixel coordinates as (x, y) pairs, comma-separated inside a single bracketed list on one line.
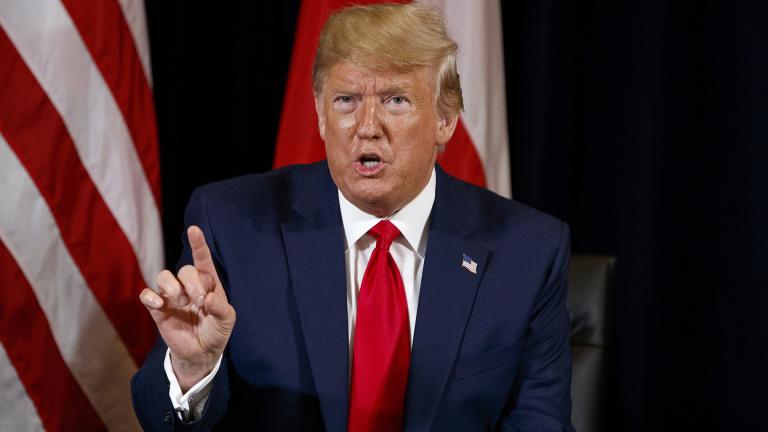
[(540, 400)]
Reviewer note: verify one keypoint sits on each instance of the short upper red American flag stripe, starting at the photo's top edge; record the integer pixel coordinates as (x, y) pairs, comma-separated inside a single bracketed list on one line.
[(110, 42)]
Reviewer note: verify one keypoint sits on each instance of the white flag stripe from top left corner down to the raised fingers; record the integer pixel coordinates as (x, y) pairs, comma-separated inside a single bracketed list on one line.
[(65, 70)]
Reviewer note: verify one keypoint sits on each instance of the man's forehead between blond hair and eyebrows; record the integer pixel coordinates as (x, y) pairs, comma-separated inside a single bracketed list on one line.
[(354, 77)]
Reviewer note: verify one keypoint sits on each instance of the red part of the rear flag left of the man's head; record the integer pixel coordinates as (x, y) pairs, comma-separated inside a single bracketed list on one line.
[(298, 139)]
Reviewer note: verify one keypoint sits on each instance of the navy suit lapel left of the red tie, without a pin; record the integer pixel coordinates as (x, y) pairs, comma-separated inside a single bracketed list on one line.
[(314, 244)]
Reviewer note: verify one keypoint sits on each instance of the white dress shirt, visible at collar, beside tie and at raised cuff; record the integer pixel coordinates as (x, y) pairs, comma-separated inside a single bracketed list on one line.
[(407, 250)]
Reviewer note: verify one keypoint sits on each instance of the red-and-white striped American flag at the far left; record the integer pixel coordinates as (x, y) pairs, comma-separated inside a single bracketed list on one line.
[(80, 231)]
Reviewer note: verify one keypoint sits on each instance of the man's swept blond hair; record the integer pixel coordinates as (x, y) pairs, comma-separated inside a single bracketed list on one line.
[(392, 36)]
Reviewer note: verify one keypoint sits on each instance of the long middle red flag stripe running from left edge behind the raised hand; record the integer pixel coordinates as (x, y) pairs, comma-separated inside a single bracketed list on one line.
[(36, 133)]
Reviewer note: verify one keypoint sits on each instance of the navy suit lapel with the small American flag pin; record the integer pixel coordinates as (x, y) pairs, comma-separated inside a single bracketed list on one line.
[(445, 301)]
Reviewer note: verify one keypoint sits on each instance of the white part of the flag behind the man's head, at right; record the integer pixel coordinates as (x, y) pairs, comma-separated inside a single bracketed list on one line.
[(476, 27)]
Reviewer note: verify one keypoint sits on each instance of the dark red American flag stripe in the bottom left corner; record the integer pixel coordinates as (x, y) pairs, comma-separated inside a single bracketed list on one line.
[(26, 335)]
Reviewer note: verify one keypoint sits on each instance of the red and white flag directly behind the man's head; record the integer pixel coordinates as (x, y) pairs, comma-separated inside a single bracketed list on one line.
[(478, 151)]
